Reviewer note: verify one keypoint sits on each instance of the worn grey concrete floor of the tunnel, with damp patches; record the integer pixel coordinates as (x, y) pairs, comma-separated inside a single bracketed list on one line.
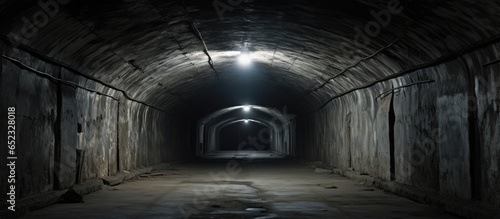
[(254, 188)]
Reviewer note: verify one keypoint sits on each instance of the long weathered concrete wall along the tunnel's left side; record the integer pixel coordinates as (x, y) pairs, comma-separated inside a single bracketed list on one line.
[(54, 120)]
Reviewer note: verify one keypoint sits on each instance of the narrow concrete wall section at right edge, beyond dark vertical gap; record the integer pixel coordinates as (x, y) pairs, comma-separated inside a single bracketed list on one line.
[(487, 108)]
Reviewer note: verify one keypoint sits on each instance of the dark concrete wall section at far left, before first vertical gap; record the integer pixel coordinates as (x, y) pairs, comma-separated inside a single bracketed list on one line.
[(36, 119)]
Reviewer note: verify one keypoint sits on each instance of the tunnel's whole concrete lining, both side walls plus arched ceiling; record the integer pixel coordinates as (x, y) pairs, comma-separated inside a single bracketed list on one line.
[(305, 55)]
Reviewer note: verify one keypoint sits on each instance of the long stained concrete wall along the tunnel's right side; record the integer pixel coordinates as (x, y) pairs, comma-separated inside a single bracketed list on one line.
[(444, 134)]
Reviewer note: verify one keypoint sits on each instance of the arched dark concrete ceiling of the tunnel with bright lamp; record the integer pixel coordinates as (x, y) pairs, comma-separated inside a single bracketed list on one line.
[(149, 49)]
